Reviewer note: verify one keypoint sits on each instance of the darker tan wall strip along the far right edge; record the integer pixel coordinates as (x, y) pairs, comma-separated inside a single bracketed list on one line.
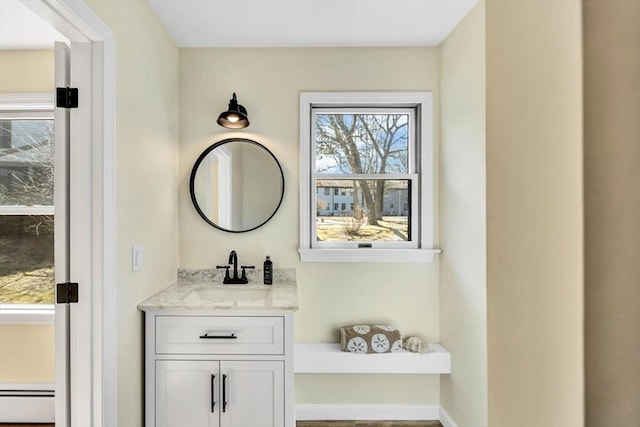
[(612, 205)]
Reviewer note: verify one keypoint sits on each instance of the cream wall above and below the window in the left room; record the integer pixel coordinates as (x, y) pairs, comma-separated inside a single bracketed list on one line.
[(31, 359)]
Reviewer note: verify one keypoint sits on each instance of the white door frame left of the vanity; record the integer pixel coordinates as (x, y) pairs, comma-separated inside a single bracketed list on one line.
[(96, 352)]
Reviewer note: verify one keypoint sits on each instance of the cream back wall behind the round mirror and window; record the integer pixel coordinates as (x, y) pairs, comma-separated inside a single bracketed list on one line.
[(268, 83)]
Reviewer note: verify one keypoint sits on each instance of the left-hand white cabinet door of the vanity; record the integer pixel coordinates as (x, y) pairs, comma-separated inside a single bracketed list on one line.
[(187, 394)]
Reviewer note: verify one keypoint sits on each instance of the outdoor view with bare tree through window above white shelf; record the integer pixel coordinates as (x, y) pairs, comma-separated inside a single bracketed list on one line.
[(366, 155)]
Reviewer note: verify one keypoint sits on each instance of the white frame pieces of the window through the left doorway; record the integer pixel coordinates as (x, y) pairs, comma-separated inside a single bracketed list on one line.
[(27, 106)]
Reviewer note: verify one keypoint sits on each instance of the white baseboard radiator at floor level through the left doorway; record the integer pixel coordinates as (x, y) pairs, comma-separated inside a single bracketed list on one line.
[(27, 403)]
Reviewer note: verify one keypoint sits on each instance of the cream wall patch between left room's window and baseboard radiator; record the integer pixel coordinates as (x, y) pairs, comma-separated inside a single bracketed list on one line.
[(27, 353)]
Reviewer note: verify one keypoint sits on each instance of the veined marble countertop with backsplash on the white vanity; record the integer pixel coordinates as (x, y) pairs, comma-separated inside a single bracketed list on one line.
[(203, 290)]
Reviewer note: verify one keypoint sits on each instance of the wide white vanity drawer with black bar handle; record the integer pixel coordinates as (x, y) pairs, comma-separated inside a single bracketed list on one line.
[(219, 335)]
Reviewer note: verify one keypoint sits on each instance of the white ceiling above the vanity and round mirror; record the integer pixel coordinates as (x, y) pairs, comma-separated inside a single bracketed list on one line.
[(309, 23)]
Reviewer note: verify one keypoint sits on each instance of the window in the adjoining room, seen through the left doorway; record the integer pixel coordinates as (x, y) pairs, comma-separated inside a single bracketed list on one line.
[(26, 200)]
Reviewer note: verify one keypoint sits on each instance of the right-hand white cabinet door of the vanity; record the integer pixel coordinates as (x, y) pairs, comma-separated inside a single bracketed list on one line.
[(254, 393)]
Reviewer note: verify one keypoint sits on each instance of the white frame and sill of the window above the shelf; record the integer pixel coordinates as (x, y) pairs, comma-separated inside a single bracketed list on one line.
[(422, 102)]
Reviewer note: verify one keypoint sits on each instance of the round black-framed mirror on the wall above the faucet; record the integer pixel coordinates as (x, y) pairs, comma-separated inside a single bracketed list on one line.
[(237, 185)]
